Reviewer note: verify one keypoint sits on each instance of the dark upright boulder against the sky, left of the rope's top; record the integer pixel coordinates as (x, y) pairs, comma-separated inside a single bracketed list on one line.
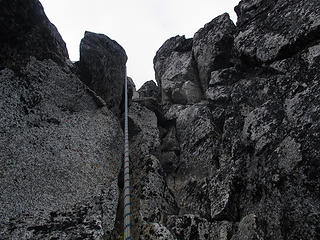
[(102, 68)]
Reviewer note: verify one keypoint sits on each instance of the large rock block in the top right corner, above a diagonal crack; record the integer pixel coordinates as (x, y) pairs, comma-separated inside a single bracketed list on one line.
[(271, 30)]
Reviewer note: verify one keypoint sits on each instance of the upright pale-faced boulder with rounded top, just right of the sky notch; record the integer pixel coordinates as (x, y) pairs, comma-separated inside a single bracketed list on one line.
[(175, 72)]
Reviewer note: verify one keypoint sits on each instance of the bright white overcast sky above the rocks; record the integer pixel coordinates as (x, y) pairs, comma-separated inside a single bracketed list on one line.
[(139, 26)]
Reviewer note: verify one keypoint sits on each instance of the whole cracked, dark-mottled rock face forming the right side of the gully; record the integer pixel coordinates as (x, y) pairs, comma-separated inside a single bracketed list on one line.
[(243, 161)]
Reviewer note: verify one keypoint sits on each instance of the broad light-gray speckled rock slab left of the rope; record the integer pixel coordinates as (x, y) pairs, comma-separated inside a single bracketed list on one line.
[(59, 153)]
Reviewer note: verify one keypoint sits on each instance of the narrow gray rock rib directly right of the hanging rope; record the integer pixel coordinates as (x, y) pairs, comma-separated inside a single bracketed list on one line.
[(151, 199)]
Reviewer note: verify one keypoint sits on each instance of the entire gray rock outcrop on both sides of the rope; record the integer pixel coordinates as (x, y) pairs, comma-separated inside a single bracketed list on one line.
[(225, 146)]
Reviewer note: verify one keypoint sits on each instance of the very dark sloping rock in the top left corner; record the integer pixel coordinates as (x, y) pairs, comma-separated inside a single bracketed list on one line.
[(26, 31)]
